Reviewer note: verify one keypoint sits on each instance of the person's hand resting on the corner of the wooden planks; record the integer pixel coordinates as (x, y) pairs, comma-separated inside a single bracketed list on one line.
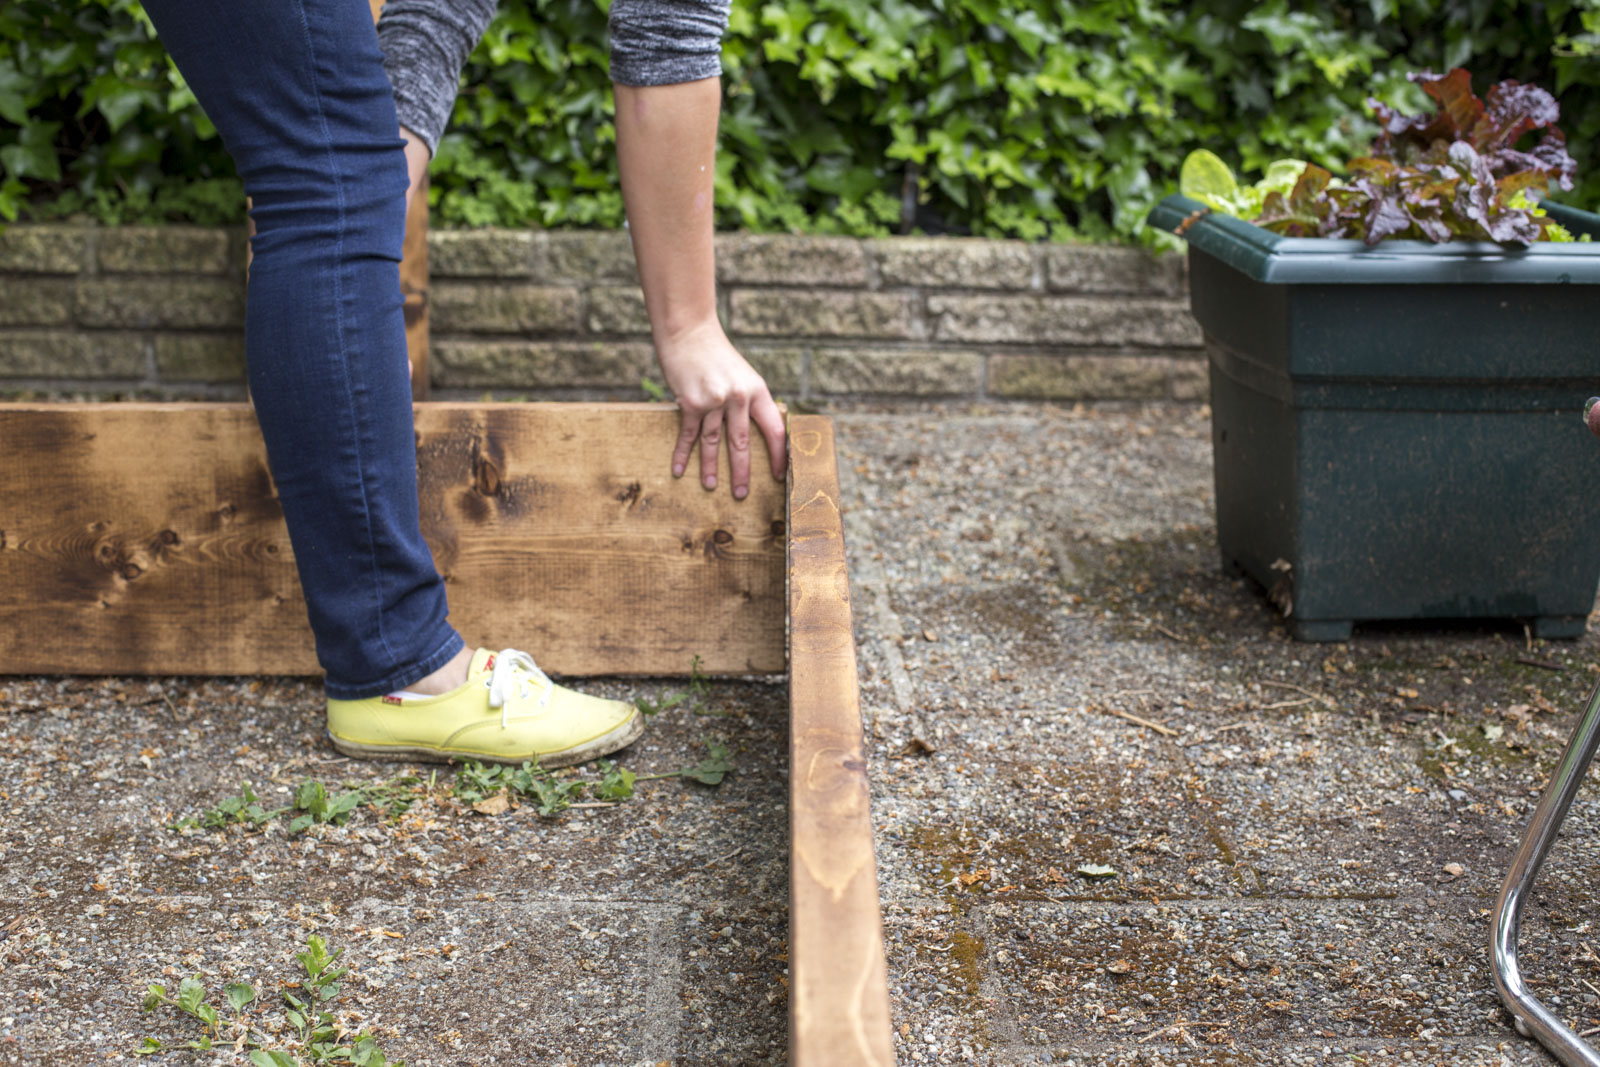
[(719, 394)]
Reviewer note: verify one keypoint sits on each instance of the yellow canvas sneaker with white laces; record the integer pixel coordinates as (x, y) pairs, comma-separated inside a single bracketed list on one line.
[(506, 713)]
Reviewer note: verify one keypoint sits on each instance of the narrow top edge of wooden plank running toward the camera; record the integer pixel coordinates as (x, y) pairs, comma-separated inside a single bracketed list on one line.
[(839, 1007)]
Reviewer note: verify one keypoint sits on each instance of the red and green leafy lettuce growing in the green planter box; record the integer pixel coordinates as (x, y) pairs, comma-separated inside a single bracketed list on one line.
[(1458, 174)]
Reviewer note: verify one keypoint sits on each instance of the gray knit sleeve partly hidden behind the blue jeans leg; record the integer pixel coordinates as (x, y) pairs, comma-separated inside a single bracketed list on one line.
[(426, 44)]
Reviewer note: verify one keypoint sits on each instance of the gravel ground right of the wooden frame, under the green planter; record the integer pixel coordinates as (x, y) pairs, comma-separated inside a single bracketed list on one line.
[(1303, 857)]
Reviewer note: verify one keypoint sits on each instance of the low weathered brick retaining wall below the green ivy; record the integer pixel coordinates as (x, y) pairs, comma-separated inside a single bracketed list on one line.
[(559, 314)]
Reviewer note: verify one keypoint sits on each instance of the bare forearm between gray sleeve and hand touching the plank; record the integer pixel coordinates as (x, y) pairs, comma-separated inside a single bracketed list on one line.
[(666, 145)]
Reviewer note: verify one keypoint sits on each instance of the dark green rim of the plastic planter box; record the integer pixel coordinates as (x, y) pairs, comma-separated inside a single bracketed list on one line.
[(1273, 258)]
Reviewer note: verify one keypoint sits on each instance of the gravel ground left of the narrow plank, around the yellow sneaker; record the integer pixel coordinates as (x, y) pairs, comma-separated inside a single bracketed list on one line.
[(655, 930)]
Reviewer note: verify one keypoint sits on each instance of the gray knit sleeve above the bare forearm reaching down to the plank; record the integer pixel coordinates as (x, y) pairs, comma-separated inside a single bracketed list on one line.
[(665, 42)]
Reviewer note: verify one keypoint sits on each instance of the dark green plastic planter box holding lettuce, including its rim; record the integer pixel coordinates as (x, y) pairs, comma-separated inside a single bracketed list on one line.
[(1398, 430)]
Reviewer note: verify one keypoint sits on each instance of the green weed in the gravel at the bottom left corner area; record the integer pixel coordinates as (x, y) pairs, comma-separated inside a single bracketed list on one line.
[(316, 1034)]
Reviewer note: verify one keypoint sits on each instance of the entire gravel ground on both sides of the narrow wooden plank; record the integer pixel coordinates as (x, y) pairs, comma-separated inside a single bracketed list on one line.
[(1295, 869)]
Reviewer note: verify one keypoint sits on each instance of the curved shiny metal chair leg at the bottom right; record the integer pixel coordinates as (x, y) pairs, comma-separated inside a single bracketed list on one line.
[(1546, 823)]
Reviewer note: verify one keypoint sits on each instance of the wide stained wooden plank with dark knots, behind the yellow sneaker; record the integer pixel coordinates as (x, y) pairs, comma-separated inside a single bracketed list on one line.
[(150, 540)]
